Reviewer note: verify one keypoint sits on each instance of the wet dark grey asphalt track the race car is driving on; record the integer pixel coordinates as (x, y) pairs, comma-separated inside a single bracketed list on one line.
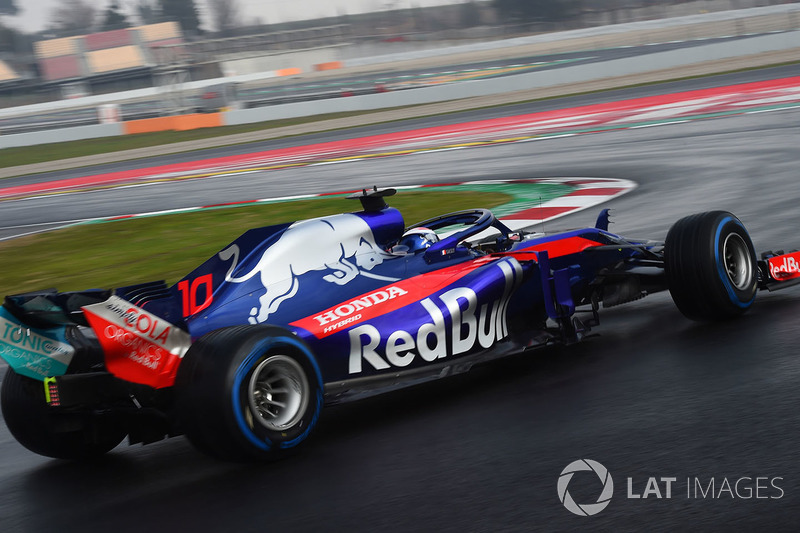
[(654, 395)]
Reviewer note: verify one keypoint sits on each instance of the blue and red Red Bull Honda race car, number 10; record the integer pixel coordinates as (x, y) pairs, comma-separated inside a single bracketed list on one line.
[(242, 354)]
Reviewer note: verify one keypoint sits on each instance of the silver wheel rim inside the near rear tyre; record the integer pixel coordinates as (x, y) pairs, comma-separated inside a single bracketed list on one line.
[(278, 392)]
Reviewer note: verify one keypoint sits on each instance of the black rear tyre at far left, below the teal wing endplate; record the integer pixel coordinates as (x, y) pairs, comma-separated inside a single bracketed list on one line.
[(71, 436)]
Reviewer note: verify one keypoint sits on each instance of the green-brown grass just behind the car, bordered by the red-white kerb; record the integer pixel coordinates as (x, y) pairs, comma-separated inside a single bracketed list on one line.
[(125, 252)]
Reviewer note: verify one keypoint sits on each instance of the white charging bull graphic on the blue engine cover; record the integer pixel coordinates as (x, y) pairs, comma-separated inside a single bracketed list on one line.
[(339, 242)]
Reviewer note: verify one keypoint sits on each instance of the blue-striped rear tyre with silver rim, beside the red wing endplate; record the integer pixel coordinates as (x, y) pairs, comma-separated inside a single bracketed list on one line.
[(248, 393)]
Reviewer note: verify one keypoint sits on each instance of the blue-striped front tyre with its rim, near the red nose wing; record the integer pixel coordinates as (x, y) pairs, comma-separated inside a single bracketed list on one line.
[(711, 266)]
